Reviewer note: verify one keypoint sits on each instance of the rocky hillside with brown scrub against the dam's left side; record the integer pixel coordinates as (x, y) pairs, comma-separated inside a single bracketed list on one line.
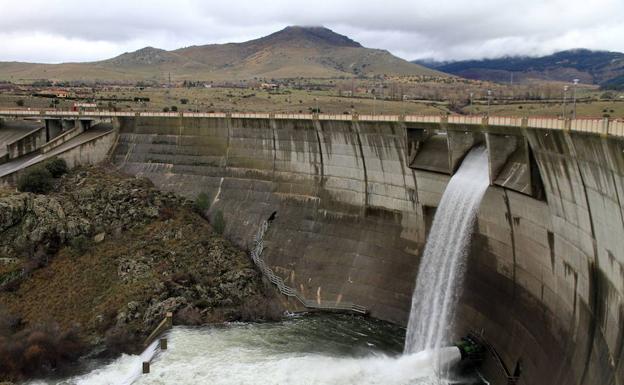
[(113, 254)]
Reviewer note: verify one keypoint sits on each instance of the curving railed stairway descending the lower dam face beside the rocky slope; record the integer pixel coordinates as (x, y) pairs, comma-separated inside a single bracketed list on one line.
[(288, 291)]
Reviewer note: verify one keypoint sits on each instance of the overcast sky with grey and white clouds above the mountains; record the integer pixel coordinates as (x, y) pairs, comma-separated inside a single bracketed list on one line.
[(55, 31)]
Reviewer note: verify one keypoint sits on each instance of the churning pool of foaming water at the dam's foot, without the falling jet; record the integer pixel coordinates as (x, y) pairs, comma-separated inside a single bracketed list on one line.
[(316, 350)]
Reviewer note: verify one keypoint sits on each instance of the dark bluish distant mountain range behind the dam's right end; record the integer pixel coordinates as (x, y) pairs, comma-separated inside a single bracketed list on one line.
[(591, 67)]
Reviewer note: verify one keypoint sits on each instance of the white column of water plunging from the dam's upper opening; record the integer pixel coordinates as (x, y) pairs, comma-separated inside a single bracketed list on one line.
[(443, 263)]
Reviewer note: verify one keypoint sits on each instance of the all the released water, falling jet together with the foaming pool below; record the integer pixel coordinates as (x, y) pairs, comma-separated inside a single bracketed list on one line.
[(325, 350)]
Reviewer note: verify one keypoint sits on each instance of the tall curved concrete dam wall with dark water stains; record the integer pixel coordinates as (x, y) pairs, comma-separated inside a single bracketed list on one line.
[(355, 199)]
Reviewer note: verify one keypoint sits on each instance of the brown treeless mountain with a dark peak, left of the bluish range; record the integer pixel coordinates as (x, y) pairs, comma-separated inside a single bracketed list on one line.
[(292, 52)]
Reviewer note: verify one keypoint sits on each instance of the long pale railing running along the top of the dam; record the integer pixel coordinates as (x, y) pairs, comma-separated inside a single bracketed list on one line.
[(603, 126)]
